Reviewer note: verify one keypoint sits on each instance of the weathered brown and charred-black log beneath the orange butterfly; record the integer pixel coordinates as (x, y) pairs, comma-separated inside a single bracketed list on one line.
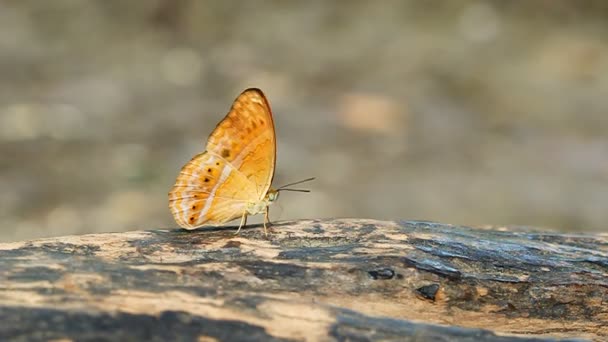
[(308, 280)]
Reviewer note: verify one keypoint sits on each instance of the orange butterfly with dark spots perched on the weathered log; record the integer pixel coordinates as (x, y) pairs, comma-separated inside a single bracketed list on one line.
[(232, 178)]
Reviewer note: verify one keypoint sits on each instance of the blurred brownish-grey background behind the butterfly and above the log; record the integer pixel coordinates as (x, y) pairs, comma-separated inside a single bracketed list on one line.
[(467, 112)]
